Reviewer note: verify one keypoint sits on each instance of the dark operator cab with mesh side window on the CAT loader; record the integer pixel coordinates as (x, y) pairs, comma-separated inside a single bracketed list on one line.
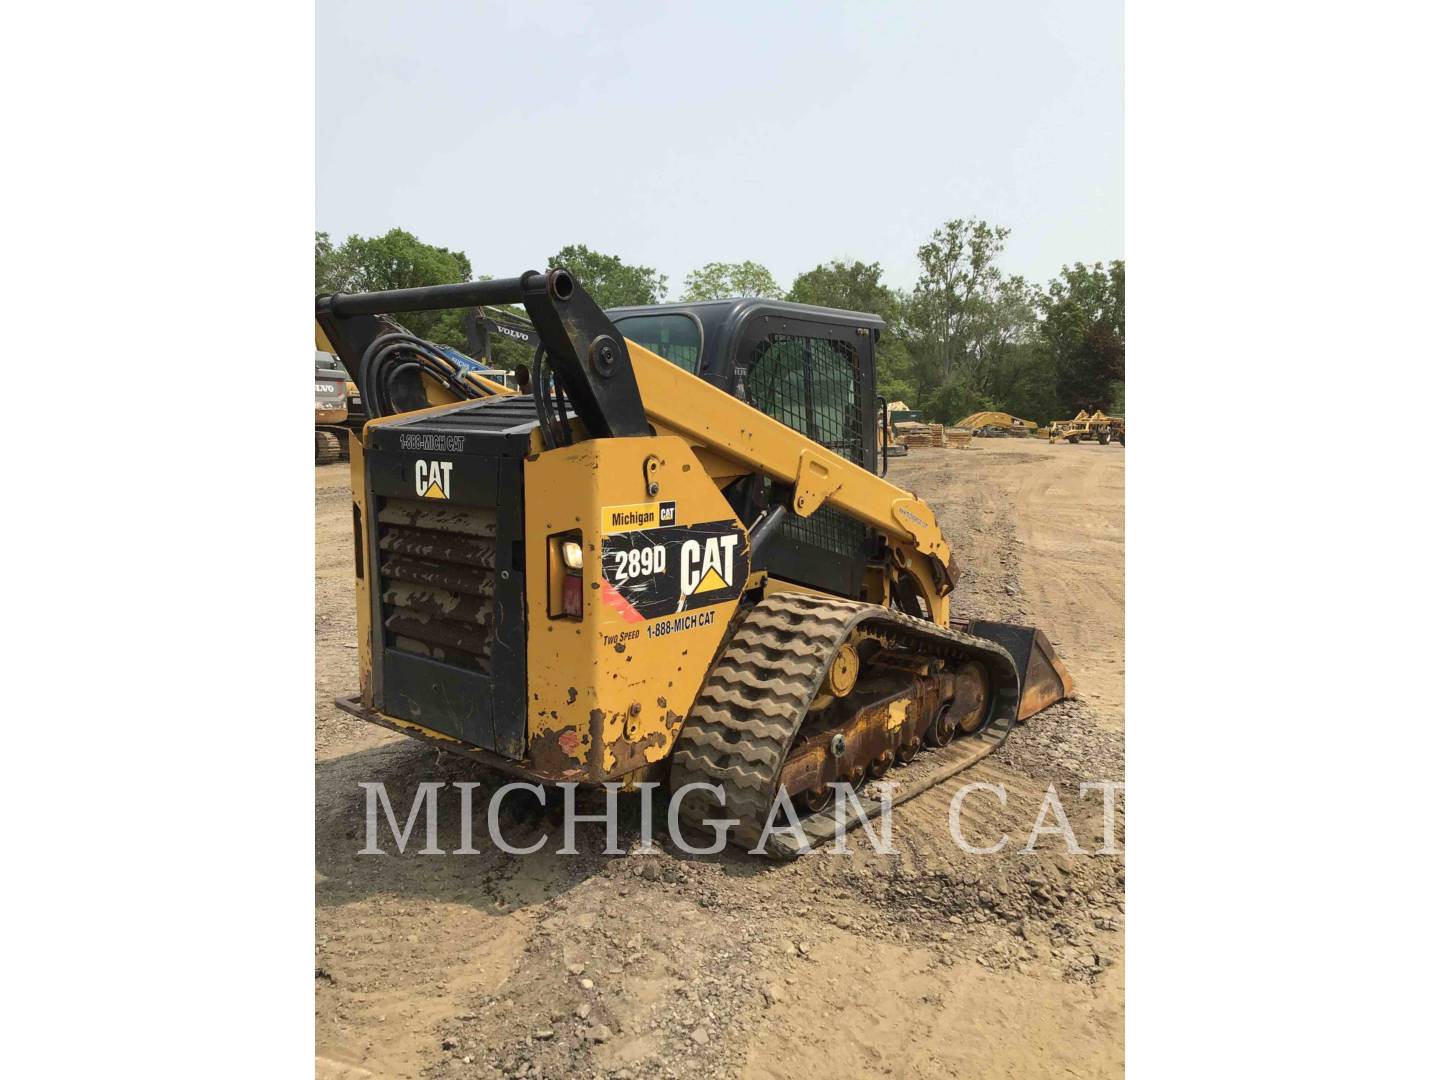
[(810, 368)]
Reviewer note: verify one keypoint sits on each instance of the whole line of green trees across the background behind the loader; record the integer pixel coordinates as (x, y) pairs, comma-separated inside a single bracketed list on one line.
[(967, 339)]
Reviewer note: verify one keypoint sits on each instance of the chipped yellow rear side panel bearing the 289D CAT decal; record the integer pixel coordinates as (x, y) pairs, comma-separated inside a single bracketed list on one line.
[(660, 584)]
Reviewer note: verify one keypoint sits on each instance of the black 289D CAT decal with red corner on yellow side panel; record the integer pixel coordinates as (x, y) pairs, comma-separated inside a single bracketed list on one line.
[(656, 572)]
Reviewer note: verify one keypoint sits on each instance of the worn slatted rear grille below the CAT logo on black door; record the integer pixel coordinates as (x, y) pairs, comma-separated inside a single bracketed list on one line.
[(438, 581)]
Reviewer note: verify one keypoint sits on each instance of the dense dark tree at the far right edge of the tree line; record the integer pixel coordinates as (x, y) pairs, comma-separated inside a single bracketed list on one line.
[(1084, 333)]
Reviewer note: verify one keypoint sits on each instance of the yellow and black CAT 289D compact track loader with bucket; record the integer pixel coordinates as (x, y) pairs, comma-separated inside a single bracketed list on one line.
[(672, 558)]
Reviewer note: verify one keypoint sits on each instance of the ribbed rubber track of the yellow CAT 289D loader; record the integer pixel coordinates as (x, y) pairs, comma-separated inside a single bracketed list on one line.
[(745, 722)]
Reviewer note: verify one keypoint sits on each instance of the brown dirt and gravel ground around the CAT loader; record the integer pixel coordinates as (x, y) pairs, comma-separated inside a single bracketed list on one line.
[(927, 963)]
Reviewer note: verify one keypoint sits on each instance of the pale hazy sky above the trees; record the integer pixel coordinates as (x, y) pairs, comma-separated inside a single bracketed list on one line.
[(676, 135)]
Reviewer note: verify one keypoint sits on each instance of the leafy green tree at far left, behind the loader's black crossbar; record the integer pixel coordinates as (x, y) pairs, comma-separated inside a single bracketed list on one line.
[(395, 261)]
